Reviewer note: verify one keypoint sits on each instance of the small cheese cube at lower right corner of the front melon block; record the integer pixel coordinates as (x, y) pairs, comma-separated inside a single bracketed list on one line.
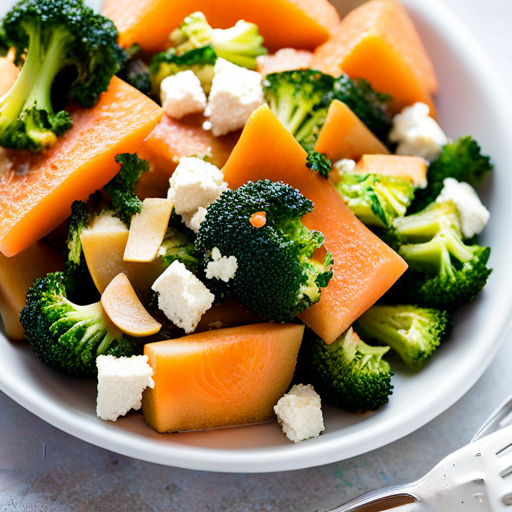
[(299, 413)]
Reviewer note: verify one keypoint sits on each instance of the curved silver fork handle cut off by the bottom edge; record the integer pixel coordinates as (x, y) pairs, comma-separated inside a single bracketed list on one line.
[(379, 500)]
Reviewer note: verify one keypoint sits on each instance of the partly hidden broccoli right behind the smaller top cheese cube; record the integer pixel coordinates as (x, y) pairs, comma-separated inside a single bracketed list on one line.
[(201, 61)]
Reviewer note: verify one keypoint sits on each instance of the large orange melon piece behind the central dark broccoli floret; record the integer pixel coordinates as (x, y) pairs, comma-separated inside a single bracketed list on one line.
[(364, 267)]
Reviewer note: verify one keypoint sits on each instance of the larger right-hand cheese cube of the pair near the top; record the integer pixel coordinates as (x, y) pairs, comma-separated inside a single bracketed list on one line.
[(236, 92)]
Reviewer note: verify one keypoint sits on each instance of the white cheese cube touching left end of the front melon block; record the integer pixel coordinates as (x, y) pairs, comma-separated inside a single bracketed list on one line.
[(121, 382)]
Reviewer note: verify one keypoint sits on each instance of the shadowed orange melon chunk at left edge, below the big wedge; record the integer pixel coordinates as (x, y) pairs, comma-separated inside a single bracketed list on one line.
[(17, 275)]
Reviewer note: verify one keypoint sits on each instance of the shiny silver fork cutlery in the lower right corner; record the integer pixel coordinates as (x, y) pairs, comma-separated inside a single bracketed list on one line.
[(478, 477)]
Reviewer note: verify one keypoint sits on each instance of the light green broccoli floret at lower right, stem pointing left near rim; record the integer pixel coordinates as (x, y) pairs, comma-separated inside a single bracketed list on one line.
[(413, 332)]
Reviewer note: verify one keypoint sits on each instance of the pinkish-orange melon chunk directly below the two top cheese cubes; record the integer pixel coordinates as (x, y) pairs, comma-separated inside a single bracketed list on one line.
[(173, 139)]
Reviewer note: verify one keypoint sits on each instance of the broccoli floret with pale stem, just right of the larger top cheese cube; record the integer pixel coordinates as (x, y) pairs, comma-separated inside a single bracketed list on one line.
[(295, 97)]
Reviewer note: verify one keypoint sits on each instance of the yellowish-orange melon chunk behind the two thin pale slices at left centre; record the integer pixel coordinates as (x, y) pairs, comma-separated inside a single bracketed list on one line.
[(104, 244)]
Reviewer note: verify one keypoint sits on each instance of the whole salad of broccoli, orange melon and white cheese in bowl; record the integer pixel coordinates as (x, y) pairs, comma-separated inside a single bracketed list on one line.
[(275, 222)]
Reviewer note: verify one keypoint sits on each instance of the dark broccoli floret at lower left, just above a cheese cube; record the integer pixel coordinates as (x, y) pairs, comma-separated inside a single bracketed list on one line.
[(66, 336)]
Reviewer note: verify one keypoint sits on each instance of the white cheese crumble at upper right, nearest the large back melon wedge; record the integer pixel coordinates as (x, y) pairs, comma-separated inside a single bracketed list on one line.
[(417, 134)]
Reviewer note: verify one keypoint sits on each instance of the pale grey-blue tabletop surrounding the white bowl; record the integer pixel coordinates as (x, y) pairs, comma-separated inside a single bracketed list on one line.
[(42, 468)]
